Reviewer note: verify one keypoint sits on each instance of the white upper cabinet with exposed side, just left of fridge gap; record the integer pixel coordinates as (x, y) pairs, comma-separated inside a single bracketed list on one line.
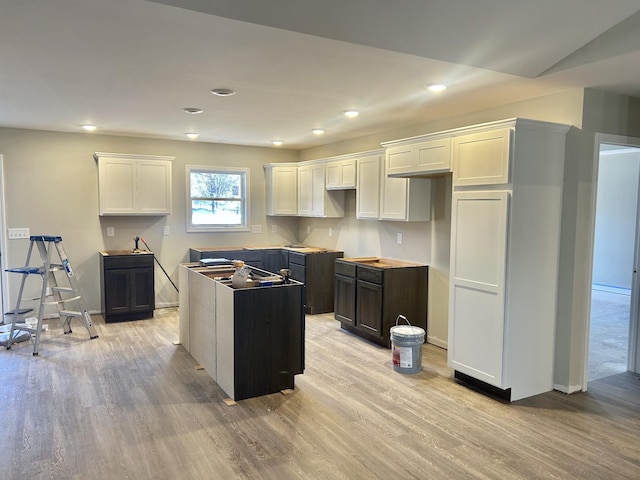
[(404, 199)]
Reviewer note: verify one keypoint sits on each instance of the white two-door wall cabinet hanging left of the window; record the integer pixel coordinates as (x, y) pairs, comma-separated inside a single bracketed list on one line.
[(134, 184)]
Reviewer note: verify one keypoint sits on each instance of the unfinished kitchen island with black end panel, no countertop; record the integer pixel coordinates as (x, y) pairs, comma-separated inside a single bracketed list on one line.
[(249, 339)]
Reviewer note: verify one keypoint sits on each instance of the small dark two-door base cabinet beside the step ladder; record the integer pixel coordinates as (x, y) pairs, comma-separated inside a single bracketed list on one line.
[(127, 285)]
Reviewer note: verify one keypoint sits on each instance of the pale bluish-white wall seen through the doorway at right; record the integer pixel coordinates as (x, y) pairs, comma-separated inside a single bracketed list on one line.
[(616, 214)]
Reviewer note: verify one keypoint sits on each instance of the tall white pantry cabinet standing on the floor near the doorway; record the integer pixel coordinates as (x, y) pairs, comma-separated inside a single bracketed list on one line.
[(505, 236)]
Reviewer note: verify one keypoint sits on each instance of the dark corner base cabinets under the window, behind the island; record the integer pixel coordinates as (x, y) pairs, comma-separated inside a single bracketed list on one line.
[(313, 266)]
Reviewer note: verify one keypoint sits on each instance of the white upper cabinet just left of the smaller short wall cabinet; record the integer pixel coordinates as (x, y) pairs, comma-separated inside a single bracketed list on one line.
[(314, 200)]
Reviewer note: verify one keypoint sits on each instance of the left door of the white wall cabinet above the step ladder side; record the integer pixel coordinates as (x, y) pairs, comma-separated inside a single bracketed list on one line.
[(117, 186)]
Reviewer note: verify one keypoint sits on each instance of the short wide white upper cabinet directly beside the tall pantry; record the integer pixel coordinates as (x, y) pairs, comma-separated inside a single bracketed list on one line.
[(418, 156)]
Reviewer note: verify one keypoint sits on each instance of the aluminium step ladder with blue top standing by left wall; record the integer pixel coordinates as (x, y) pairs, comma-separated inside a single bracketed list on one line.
[(65, 296)]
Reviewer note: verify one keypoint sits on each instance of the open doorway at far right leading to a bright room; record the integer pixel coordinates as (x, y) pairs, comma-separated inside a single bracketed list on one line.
[(614, 295)]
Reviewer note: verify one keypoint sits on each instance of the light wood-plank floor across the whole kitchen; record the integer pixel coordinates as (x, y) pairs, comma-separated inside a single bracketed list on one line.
[(131, 405)]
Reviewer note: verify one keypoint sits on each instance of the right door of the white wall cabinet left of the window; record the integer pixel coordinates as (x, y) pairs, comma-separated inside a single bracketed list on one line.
[(154, 187)]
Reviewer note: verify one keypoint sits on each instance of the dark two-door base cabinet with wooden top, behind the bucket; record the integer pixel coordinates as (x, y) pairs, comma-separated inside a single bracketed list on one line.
[(370, 293)]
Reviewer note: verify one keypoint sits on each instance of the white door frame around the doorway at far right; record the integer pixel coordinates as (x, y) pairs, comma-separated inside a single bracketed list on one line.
[(634, 313)]
